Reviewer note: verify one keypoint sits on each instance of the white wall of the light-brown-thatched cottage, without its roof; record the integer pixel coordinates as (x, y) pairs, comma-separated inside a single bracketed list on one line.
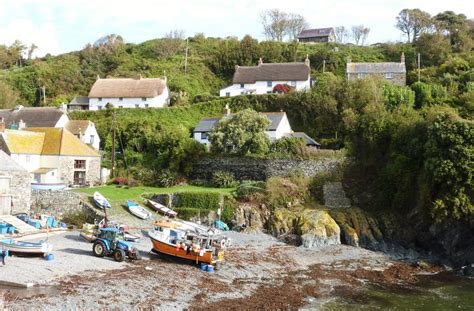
[(159, 101)]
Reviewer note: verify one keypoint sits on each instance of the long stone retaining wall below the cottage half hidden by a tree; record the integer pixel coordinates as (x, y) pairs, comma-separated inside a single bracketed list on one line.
[(257, 169)]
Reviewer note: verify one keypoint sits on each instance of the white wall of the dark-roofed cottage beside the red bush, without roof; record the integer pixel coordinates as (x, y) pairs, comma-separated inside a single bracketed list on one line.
[(262, 87)]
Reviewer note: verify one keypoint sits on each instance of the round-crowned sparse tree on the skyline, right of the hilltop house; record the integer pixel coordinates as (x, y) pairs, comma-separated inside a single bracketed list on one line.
[(413, 22)]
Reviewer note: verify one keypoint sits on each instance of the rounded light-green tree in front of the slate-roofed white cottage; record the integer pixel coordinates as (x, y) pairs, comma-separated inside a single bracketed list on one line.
[(241, 134)]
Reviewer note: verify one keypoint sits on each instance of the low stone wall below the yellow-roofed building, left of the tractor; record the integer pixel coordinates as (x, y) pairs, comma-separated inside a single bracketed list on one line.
[(55, 202)]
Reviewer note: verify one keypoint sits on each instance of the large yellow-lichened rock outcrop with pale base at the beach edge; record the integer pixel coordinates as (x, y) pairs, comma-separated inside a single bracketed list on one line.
[(316, 227)]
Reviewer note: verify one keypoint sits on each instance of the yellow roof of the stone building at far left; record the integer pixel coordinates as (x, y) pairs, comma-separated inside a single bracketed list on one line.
[(46, 141)]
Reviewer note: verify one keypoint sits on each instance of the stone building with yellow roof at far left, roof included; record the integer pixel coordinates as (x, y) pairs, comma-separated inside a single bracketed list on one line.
[(54, 157)]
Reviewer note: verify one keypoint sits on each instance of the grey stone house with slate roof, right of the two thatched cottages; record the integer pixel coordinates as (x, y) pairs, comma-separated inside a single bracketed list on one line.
[(390, 71)]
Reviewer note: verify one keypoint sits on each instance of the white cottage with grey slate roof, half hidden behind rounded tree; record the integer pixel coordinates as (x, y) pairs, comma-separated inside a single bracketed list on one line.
[(278, 128)]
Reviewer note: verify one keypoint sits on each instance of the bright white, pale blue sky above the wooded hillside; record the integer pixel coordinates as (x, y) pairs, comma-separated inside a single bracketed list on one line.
[(59, 26)]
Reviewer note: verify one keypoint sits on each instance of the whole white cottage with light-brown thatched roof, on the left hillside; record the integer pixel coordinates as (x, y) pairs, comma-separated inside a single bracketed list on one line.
[(129, 93)]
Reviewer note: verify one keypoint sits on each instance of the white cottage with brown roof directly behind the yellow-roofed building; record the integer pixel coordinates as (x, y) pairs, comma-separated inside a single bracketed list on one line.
[(24, 117)]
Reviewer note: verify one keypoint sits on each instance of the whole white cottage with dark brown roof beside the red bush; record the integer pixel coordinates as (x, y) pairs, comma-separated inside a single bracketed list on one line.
[(263, 78)]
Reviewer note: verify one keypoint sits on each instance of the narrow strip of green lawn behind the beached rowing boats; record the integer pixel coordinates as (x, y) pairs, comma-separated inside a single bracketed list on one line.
[(118, 195)]
